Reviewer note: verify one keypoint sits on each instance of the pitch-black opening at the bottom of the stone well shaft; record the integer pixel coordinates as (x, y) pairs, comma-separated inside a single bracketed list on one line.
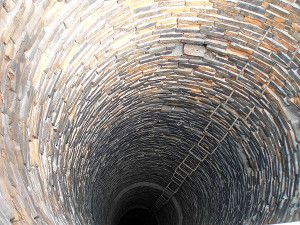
[(138, 217)]
